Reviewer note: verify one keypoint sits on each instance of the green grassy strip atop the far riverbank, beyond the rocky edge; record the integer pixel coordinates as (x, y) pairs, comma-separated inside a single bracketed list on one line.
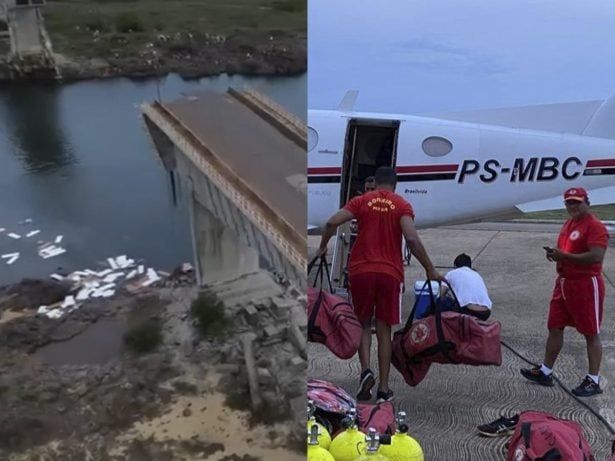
[(108, 28)]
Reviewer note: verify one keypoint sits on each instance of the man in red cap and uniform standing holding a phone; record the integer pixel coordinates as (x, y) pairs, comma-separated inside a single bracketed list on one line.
[(578, 295)]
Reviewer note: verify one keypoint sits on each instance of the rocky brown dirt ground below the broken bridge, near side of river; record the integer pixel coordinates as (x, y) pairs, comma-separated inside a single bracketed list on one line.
[(71, 390)]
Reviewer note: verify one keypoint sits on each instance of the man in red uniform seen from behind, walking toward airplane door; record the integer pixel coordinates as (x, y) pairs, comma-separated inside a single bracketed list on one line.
[(376, 271)]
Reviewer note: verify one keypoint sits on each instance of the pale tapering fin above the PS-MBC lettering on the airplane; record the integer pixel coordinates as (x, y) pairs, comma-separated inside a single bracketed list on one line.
[(571, 117)]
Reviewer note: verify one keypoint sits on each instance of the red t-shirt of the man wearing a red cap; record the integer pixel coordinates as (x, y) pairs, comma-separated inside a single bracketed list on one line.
[(576, 237)]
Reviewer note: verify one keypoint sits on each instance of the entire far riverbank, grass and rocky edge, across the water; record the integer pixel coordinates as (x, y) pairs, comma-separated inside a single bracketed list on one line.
[(146, 38)]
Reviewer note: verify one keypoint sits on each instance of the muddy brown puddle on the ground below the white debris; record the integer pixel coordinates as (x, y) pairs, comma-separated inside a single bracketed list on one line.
[(100, 342)]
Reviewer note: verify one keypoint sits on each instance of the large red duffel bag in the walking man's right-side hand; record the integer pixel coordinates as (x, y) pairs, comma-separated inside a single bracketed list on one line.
[(444, 337)]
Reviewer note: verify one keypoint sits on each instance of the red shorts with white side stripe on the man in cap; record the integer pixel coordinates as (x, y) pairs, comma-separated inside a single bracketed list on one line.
[(577, 303)]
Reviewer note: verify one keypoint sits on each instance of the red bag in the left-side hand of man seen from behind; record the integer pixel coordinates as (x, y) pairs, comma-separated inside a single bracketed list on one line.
[(331, 319)]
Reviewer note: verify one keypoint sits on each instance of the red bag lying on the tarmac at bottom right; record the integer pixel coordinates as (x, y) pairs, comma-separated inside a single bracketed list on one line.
[(541, 436)]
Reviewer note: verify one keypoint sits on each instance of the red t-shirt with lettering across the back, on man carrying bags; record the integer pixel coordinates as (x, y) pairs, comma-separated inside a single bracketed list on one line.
[(378, 244)]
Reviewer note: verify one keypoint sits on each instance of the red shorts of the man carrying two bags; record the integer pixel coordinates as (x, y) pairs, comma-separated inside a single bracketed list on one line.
[(376, 290)]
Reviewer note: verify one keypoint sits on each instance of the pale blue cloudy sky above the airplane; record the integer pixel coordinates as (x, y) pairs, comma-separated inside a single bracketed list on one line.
[(429, 56)]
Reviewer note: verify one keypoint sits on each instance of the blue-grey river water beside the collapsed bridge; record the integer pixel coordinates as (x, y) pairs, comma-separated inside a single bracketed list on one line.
[(78, 162)]
